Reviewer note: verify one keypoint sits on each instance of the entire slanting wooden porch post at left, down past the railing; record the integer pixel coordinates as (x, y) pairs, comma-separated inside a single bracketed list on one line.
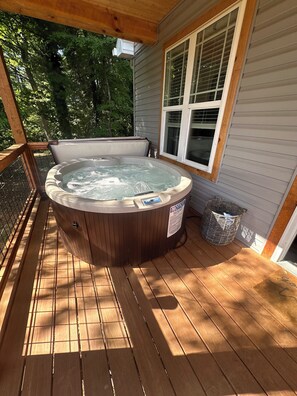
[(16, 124)]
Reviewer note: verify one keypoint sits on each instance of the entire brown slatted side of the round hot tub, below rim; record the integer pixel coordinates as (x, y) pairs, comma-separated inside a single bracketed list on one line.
[(117, 239)]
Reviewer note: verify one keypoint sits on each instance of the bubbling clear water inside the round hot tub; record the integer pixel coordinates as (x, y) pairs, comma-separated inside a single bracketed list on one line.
[(118, 181)]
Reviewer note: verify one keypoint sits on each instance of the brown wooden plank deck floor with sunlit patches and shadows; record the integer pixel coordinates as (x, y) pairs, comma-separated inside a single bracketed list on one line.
[(189, 323)]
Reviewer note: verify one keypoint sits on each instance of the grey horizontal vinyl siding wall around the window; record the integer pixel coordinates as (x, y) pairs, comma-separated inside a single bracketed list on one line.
[(260, 156)]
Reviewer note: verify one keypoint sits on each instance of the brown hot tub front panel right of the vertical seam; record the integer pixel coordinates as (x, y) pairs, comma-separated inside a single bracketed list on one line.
[(130, 238)]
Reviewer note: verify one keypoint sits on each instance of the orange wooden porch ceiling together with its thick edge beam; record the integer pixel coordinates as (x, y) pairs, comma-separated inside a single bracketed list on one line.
[(133, 20)]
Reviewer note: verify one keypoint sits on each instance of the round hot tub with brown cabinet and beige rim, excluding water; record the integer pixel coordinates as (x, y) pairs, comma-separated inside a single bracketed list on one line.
[(119, 233)]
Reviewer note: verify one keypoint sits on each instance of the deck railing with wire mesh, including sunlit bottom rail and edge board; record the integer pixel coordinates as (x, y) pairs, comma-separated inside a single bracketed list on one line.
[(22, 177)]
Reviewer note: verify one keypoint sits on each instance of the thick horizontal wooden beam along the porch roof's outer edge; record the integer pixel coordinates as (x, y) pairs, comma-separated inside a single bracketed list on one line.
[(85, 15)]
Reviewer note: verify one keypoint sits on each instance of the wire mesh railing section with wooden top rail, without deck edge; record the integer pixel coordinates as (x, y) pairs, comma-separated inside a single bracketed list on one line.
[(17, 190)]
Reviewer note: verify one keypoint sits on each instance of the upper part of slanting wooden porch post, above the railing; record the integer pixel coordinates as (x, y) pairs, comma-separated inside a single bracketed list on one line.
[(9, 103)]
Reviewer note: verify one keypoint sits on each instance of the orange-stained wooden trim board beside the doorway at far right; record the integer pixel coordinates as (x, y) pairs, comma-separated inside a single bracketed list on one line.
[(282, 221)]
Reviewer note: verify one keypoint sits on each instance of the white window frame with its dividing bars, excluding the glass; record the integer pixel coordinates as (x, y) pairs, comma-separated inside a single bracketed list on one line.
[(188, 107)]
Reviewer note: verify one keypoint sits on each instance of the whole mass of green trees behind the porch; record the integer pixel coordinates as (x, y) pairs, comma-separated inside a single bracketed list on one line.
[(66, 81)]
